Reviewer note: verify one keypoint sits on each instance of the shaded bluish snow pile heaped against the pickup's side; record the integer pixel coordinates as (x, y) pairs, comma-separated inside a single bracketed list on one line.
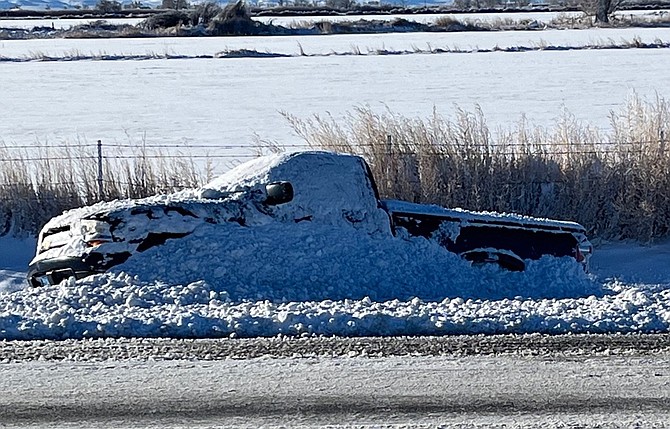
[(311, 262)]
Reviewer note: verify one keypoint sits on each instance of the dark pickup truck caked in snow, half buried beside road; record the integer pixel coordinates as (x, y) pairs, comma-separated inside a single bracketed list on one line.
[(333, 190)]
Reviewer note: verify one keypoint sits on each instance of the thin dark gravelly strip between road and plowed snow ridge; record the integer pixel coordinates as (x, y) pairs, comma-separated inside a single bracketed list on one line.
[(555, 346)]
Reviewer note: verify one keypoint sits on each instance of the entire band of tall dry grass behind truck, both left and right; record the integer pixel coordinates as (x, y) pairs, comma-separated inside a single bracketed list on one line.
[(615, 182)]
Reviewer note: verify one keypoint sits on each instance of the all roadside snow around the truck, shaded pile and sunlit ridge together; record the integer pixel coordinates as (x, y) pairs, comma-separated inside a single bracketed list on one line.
[(320, 282)]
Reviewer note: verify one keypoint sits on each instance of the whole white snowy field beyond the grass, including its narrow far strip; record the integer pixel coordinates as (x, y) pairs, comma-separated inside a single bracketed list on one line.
[(223, 104)]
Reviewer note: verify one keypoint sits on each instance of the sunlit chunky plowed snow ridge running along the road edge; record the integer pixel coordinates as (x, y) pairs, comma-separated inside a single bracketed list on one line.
[(119, 305)]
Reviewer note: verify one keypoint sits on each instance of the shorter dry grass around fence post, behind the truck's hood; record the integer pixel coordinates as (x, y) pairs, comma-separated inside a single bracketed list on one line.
[(40, 182)]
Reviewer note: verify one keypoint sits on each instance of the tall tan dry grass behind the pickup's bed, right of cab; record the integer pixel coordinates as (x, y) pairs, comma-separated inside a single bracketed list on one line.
[(614, 182)]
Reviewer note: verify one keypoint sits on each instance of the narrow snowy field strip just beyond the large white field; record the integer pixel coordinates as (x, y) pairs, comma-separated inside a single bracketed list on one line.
[(314, 45)]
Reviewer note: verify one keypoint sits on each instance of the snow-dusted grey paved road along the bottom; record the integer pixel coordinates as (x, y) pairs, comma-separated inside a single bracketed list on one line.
[(522, 389)]
